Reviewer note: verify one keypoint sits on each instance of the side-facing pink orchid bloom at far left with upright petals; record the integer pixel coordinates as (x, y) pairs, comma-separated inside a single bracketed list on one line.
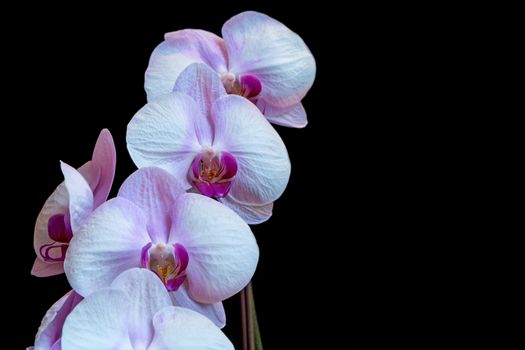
[(72, 201)]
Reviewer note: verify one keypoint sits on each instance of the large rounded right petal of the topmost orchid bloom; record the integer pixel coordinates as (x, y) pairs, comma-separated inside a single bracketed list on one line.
[(265, 48)]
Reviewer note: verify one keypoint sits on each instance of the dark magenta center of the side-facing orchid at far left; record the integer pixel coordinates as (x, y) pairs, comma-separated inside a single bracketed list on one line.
[(59, 230)]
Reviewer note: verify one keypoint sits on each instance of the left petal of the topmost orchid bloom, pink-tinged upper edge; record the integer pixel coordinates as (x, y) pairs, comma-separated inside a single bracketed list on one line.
[(180, 49)]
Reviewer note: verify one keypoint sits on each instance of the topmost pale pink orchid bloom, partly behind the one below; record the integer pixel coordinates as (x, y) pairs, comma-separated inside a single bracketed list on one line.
[(258, 58)]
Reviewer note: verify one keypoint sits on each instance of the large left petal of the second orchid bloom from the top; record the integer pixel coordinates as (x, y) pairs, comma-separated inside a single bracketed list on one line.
[(162, 134)]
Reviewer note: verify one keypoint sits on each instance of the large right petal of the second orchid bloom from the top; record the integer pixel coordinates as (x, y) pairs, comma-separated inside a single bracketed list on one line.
[(262, 159)]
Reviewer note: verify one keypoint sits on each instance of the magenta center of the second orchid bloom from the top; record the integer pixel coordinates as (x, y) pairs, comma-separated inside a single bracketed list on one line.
[(212, 174)]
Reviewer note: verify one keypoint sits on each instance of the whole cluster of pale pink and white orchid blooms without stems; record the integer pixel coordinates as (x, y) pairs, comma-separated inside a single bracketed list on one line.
[(150, 268)]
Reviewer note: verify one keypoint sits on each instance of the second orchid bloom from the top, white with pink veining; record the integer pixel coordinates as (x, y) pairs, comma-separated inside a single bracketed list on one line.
[(220, 145)]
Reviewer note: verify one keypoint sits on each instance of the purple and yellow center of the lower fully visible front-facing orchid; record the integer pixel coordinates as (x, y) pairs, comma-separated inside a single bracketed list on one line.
[(169, 262)]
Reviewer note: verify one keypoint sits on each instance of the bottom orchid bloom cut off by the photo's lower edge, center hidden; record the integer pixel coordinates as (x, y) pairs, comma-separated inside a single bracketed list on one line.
[(136, 312)]
